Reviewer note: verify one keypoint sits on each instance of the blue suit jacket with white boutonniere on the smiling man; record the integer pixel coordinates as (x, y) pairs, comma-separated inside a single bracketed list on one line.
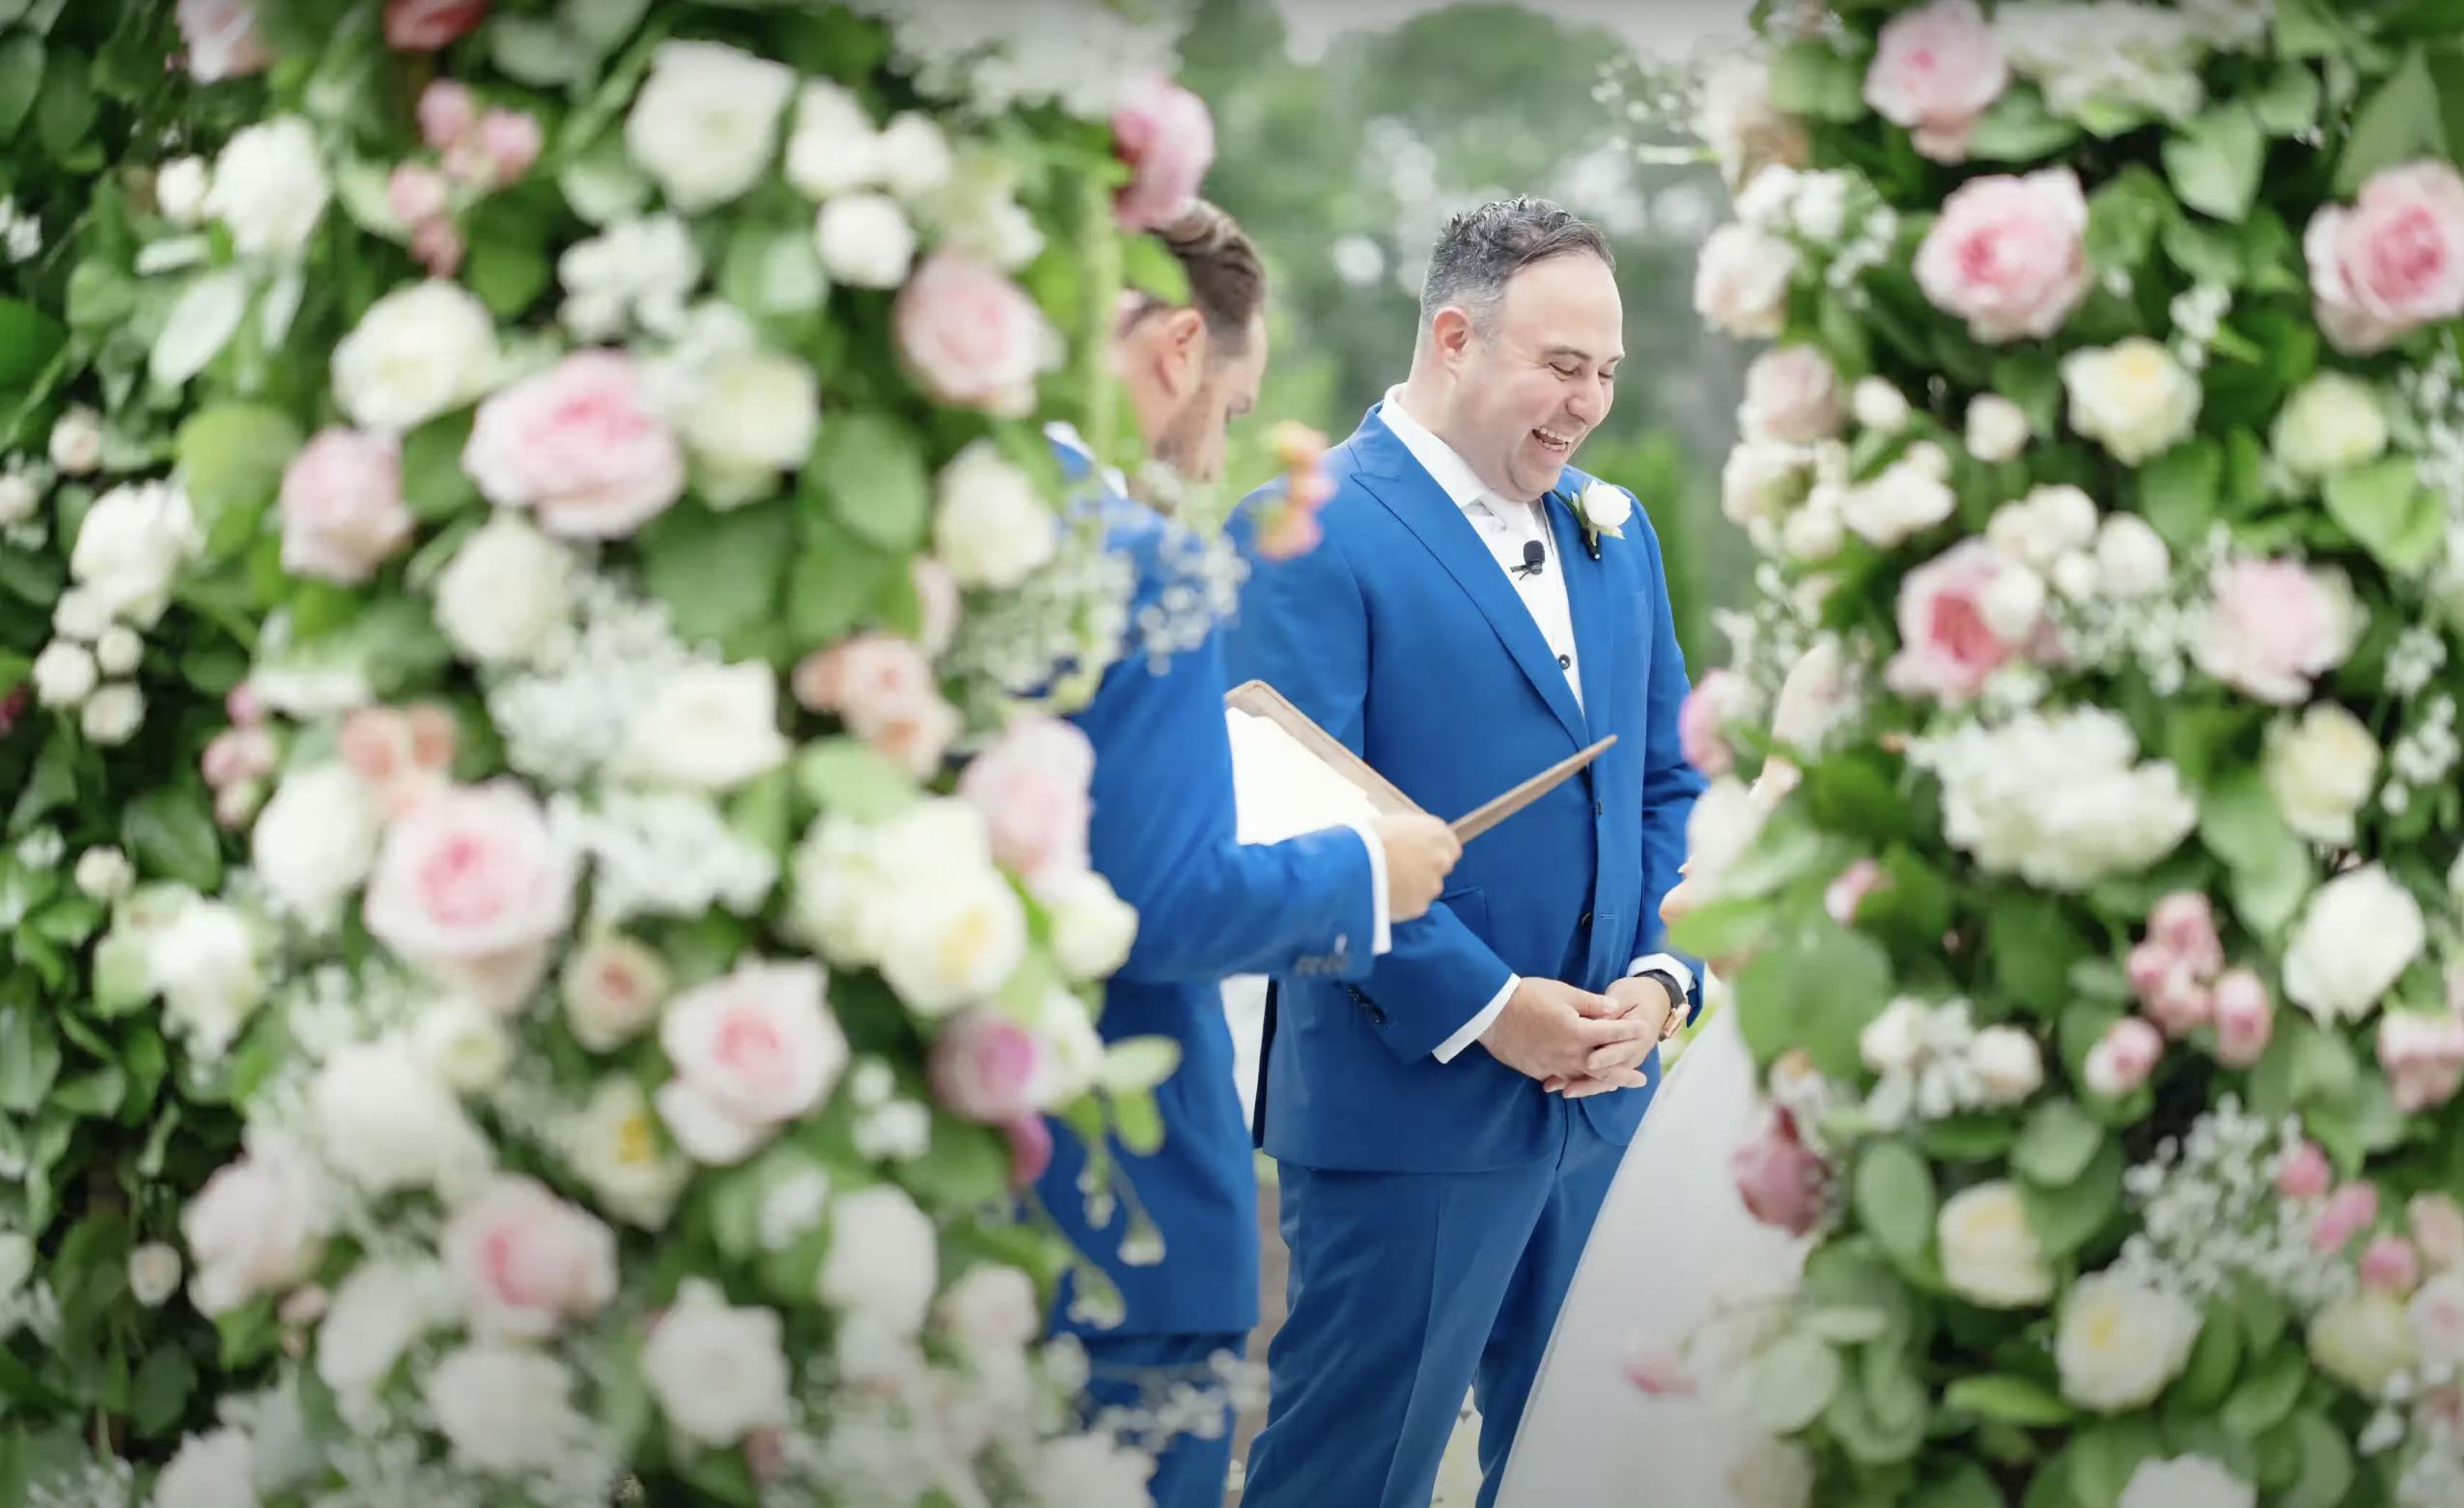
[(1403, 639)]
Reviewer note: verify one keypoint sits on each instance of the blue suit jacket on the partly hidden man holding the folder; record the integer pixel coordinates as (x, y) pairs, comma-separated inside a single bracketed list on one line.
[(1209, 908)]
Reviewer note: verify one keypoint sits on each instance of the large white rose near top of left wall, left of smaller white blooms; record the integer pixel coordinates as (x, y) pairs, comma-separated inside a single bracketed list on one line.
[(706, 122)]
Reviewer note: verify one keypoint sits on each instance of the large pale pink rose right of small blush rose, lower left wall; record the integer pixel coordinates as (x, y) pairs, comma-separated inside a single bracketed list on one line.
[(753, 1051)]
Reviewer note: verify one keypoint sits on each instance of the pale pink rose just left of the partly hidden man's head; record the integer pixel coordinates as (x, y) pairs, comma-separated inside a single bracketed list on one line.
[(972, 336)]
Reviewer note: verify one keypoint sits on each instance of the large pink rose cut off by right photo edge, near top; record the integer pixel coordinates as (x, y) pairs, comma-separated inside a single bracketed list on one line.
[(2394, 262)]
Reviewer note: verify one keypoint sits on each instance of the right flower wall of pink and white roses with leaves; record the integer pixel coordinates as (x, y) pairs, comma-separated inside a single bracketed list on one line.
[(2096, 913)]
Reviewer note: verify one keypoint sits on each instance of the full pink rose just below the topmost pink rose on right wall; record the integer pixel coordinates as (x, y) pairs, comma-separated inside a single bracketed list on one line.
[(2009, 255)]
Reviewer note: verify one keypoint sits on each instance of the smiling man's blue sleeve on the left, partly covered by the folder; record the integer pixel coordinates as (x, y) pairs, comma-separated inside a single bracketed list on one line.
[(1305, 630)]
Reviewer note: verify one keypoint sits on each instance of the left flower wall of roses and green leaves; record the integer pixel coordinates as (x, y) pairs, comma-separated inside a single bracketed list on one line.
[(548, 888)]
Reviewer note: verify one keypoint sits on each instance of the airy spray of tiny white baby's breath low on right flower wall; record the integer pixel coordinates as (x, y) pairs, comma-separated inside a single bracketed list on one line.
[(2211, 1216)]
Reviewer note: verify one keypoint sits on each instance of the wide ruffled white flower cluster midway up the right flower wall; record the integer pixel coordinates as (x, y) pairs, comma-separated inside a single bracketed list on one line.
[(2059, 800)]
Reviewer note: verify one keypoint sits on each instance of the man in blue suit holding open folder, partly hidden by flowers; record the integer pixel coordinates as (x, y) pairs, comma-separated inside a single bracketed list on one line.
[(1164, 837)]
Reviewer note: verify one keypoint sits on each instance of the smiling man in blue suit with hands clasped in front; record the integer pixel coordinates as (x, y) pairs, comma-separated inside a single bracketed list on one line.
[(1448, 1127)]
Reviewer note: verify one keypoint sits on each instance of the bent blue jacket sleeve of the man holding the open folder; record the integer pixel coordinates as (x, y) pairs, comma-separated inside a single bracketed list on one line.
[(1164, 837)]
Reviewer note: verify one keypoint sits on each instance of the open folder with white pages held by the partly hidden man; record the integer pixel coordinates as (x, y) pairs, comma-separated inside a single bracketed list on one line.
[(1283, 795)]
